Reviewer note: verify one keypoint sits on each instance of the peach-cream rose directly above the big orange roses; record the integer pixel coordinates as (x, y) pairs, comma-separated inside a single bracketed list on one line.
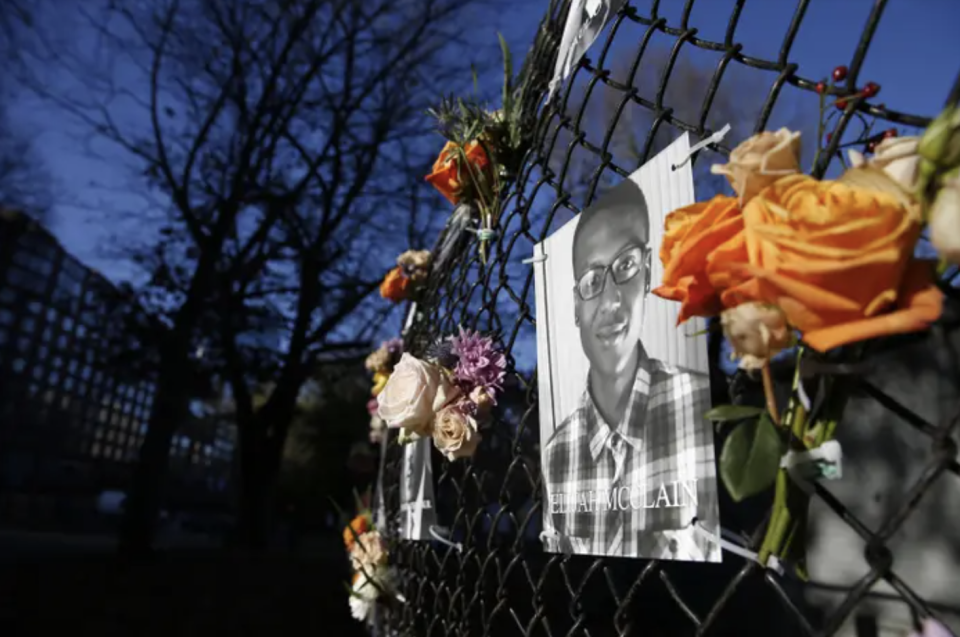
[(759, 161)]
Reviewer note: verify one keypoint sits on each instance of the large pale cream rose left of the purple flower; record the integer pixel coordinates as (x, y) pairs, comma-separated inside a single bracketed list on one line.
[(415, 392)]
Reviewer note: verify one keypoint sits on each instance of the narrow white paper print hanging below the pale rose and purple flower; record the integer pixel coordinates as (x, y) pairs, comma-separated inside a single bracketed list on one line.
[(417, 512)]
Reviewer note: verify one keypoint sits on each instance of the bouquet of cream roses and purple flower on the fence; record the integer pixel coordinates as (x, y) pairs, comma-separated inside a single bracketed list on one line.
[(447, 396)]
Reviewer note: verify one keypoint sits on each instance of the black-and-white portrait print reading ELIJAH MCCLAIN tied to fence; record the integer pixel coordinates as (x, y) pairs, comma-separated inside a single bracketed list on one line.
[(628, 457)]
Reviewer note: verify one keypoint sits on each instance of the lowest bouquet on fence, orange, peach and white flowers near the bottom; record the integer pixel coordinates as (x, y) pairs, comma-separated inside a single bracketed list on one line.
[(373, 578)]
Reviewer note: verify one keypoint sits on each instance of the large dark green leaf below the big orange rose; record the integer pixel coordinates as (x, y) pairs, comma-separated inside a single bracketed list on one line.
[(751, 458)]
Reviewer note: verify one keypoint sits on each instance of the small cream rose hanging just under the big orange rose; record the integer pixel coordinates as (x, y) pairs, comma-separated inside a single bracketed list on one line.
[(757, 332)]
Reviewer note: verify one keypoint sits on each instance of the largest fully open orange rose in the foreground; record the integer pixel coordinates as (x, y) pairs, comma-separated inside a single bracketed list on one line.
[(834, 257)]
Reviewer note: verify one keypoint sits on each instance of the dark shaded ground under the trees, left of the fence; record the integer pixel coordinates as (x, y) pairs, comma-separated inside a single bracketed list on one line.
[(53, 586)]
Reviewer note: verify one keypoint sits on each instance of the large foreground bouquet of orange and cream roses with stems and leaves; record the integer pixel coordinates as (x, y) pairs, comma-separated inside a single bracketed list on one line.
[(830, 261)]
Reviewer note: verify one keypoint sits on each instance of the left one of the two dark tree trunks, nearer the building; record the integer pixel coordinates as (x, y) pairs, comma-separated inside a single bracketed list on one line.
[(170, 406)]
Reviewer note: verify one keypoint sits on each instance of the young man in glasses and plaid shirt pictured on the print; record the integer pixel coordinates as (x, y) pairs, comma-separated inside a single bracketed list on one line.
[(632, 466)]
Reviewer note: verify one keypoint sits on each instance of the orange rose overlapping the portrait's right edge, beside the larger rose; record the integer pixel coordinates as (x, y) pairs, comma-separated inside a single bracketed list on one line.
[(691, 234)]
